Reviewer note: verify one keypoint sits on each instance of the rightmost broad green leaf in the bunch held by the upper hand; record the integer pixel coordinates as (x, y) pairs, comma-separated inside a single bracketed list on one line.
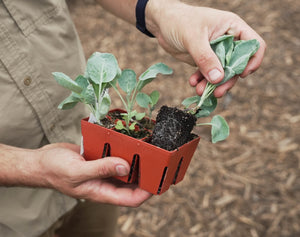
[(241, 55)]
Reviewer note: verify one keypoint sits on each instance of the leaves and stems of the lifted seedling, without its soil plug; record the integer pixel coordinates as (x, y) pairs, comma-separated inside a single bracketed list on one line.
[(234, 57)]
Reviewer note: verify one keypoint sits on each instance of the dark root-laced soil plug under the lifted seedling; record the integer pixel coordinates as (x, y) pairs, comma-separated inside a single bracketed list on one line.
[(173, 128)]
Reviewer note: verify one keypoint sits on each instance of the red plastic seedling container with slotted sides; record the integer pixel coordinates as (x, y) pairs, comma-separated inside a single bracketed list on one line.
[(152, 168)]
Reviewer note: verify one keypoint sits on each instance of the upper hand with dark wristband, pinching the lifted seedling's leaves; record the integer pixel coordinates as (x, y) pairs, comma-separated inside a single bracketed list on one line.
[(185, 32)]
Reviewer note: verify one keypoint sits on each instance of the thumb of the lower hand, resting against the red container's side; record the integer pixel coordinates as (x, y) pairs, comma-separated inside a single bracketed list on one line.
[(104, 168)]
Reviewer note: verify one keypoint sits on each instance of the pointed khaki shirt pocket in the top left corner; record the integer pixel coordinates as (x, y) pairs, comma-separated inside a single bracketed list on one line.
[(32, 14)]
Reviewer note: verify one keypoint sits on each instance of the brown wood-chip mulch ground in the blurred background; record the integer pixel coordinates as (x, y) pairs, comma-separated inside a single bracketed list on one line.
[(248, 185)]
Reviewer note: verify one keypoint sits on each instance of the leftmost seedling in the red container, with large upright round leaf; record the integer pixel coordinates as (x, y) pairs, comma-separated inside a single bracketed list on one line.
[(92, 88)]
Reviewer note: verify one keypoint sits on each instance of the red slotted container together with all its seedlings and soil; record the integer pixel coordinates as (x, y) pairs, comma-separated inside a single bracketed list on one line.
[(160, 151)]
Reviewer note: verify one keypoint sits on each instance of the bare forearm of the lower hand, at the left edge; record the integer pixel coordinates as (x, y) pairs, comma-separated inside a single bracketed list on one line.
[(19, 167)]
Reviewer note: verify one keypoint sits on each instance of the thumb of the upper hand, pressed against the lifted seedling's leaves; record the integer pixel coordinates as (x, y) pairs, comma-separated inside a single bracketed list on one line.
[(207, 61)]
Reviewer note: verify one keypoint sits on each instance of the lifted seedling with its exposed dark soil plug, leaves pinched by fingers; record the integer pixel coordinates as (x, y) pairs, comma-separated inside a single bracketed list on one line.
[(173, 127)]
